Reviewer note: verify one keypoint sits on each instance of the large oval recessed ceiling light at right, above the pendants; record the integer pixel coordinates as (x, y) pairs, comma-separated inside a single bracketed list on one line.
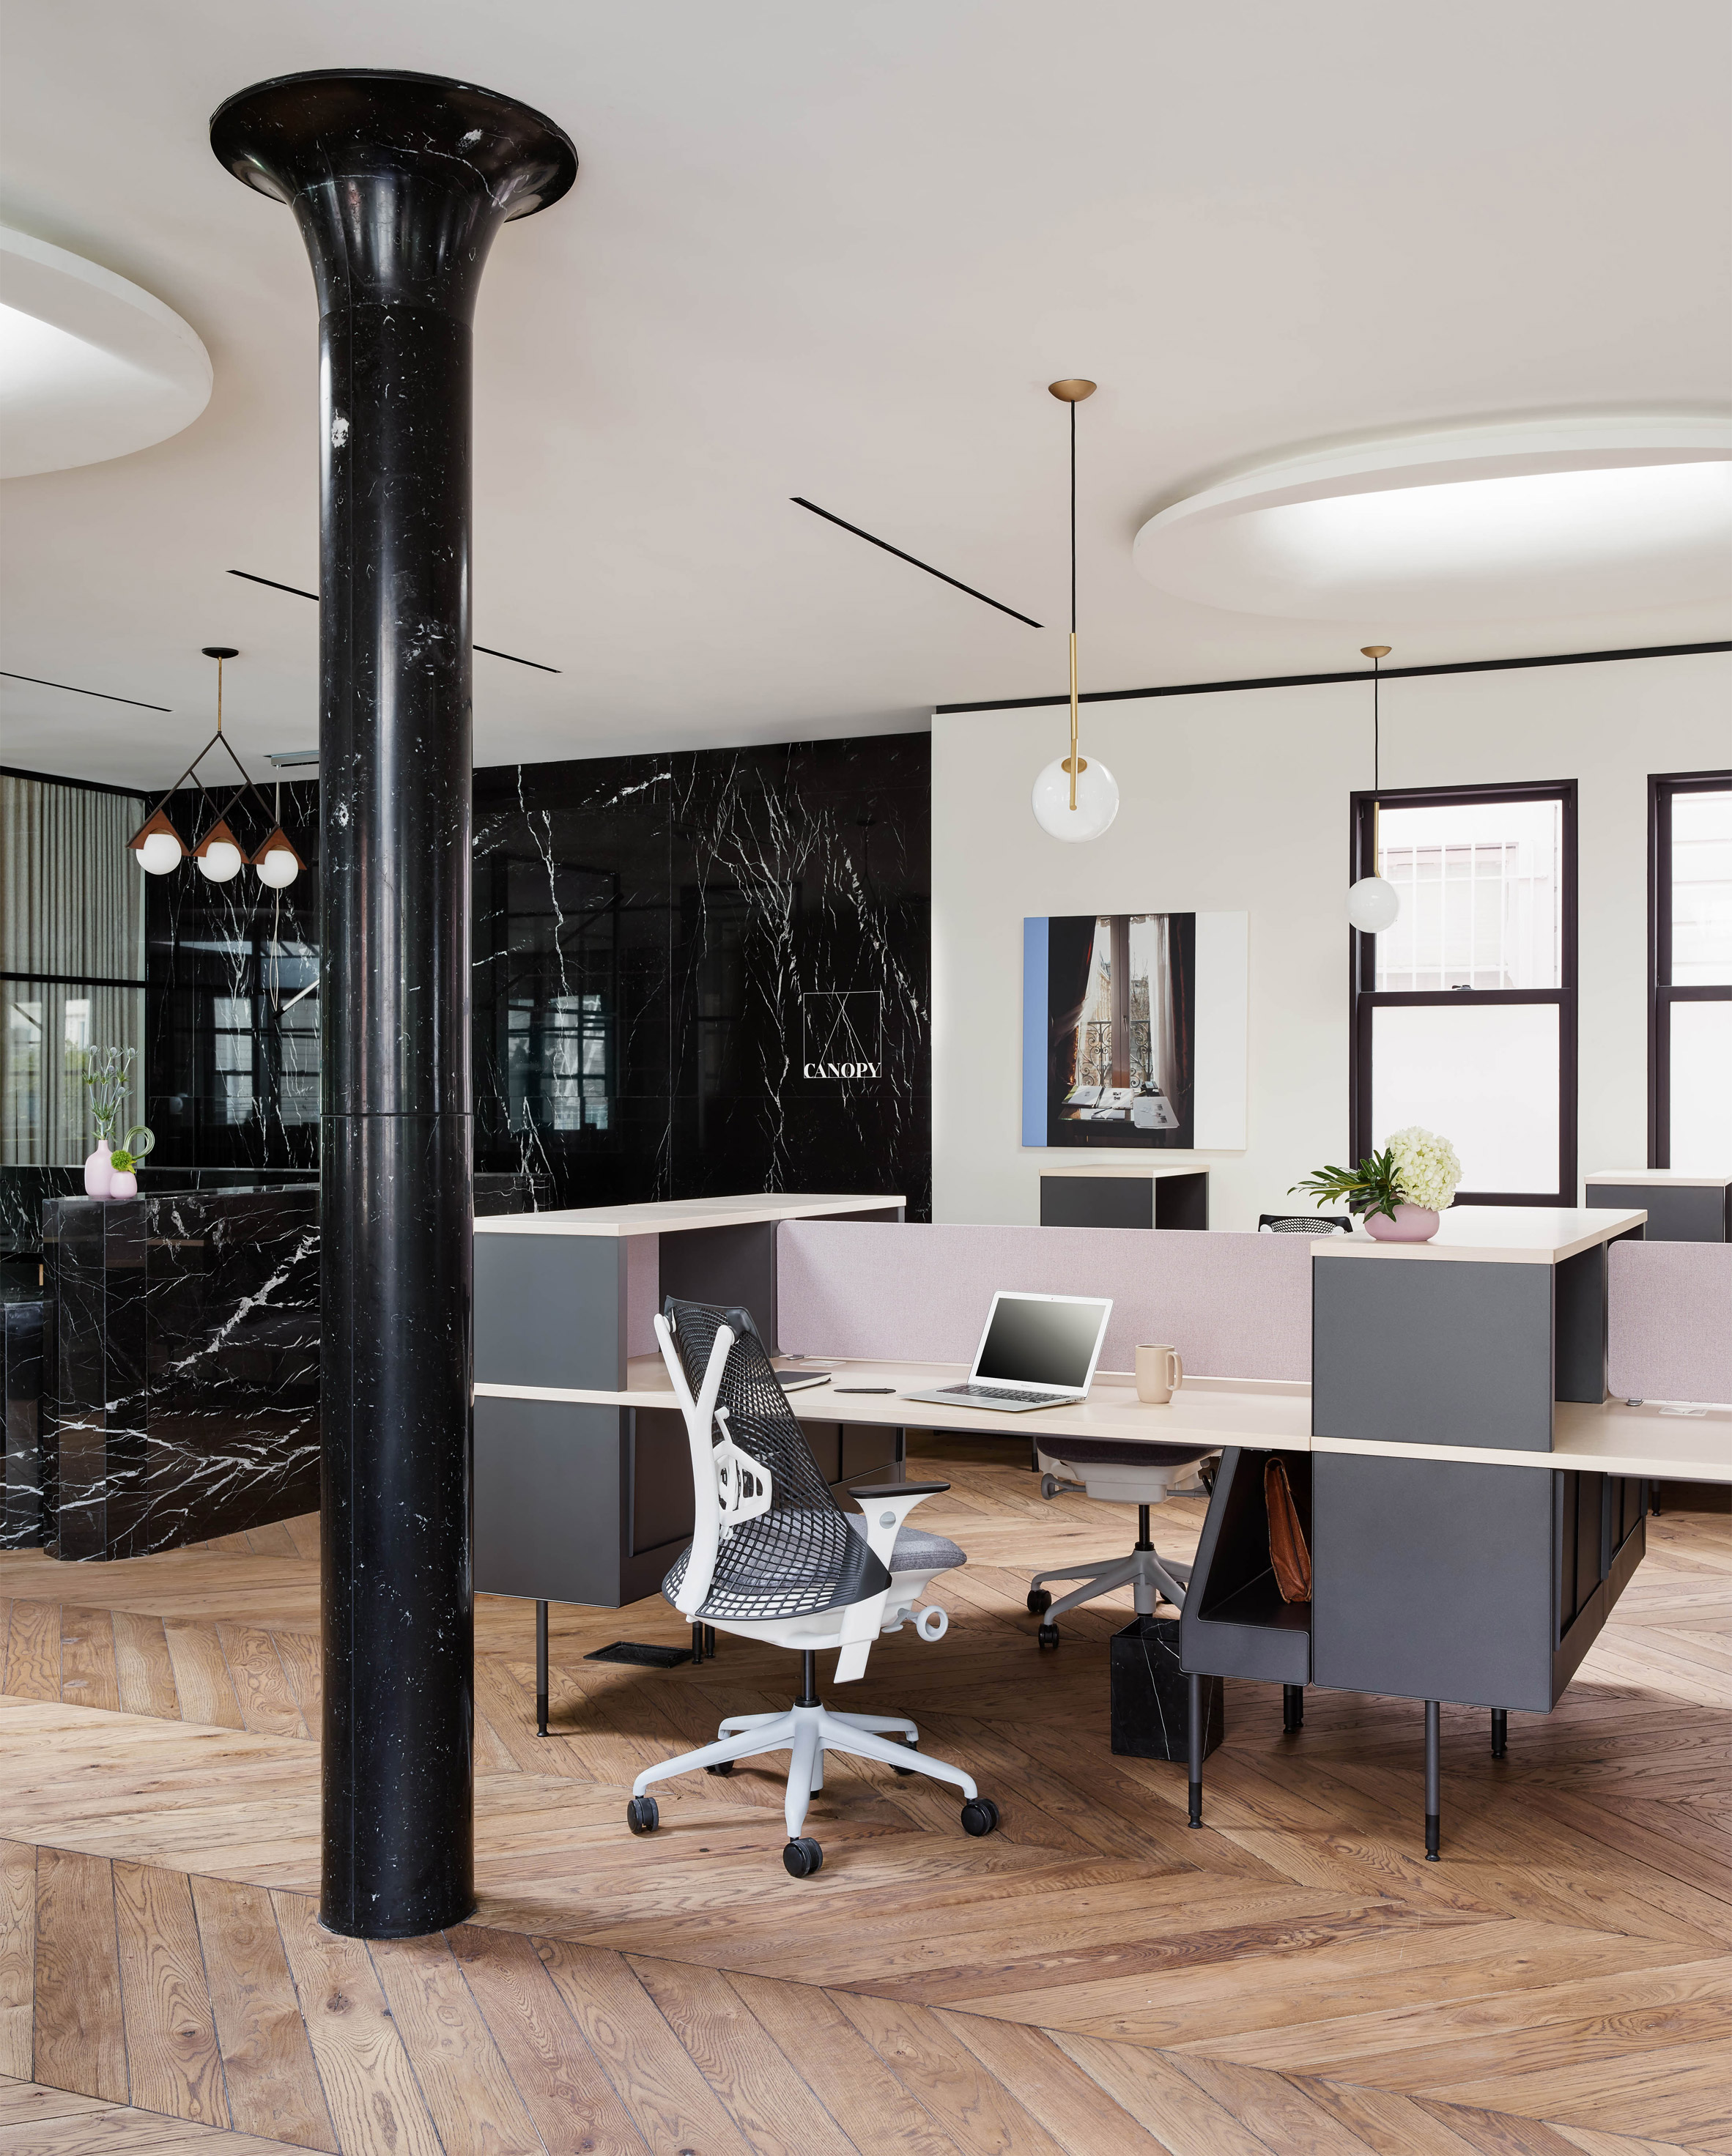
[(1565, 516)]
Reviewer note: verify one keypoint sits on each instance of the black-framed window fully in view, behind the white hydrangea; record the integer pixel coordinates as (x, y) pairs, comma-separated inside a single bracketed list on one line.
[(1466, 1010)]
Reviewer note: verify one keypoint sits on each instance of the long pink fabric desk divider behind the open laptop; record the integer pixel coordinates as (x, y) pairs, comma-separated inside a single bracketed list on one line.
[(1233, 1305)]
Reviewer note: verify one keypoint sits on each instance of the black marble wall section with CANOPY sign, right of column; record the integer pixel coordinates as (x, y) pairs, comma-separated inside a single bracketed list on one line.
[(704, 973)]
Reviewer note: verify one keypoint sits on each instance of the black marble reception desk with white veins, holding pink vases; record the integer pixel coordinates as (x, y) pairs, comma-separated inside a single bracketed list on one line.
[(180, 1368)]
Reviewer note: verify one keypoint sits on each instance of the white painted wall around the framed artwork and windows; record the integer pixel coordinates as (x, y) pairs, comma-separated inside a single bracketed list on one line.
[(1241, 801)]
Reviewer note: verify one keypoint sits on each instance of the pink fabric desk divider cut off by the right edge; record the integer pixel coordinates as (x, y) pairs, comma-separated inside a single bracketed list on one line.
[(1671, 1321)]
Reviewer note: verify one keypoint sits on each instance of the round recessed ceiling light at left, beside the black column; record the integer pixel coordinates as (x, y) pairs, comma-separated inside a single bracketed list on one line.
[(92, 368)]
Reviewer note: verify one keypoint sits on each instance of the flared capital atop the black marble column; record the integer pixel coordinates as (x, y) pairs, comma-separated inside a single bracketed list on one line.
[(398, 180)]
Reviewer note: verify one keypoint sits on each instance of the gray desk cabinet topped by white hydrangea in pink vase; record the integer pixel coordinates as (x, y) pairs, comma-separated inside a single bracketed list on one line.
[(1438, 1575)]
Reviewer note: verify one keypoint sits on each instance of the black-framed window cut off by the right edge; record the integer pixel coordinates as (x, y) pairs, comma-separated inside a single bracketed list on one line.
[(1690, 973)]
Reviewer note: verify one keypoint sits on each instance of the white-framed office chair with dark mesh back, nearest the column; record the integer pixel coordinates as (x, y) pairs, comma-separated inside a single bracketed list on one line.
[(775, 1558)]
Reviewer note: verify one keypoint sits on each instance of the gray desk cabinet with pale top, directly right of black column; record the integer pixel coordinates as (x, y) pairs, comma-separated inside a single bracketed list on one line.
[(579, 1493)]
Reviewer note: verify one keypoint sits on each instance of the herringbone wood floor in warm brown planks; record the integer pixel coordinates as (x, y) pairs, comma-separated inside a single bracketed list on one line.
[(1092, 1980)]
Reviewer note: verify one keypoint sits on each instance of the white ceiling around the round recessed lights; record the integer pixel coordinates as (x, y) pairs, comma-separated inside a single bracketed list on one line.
[(838, 251)]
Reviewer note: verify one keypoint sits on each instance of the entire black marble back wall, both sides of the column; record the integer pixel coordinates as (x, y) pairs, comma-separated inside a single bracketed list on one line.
[(693, 973)]
